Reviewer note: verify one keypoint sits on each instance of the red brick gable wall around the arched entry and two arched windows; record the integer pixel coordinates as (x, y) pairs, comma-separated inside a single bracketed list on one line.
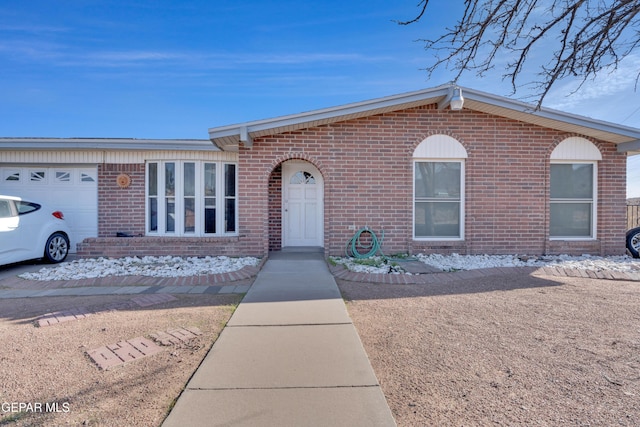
[(367, 169)]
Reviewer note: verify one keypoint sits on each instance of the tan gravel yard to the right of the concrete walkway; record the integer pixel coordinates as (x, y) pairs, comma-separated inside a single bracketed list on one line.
[(504, 351)]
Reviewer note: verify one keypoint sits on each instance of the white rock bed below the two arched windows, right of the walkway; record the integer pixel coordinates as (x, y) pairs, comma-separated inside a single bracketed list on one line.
[(470, 262)]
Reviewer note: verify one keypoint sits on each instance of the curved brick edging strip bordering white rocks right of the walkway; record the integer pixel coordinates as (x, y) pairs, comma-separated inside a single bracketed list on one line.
[(341, 272)]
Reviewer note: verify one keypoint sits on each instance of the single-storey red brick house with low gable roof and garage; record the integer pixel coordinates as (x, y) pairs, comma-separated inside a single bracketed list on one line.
[(492, 176)]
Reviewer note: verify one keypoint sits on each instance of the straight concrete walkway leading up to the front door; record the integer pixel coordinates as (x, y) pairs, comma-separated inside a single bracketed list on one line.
[(289, 356)]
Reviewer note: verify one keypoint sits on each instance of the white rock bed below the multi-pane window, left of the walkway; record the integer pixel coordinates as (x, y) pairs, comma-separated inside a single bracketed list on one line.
[(167, 266)]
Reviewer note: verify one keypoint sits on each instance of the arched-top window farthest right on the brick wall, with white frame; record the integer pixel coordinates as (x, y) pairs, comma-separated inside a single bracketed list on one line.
[(573, 185)]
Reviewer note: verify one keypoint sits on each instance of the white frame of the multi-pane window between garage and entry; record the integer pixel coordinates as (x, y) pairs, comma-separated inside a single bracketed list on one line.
[(199, 199)]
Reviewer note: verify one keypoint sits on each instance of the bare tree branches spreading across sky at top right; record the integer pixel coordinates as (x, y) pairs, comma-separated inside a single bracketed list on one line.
[(586, 36)]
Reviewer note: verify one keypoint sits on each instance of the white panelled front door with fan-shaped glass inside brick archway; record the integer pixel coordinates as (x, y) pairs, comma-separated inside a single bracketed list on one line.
[(302, 210)]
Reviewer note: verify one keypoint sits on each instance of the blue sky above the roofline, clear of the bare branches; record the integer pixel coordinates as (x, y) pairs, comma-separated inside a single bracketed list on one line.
[(173, 69)]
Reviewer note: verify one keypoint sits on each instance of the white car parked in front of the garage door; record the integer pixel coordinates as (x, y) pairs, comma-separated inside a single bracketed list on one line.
[(29, 230)]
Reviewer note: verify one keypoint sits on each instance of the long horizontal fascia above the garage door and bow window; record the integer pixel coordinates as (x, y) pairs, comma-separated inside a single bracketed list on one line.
[(106, 144)]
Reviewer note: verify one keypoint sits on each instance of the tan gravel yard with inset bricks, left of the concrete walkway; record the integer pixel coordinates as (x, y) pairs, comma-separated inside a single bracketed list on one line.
[(47, 370)]
